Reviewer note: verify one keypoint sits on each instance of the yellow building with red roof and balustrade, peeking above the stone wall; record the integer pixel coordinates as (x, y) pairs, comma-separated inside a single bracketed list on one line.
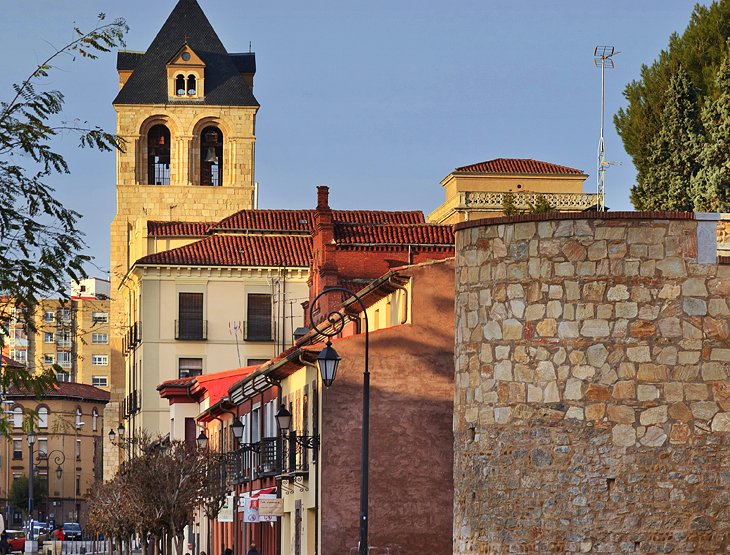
[(479, 190)]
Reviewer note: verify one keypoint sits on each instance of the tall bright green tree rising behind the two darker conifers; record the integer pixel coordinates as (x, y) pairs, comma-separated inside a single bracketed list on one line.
[(699, 51)]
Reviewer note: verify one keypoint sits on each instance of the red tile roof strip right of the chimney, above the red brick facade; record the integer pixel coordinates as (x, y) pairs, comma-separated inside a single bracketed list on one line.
[(423, 234)]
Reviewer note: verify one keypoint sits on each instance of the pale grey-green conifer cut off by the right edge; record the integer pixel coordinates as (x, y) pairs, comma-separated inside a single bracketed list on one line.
[(711, 184)]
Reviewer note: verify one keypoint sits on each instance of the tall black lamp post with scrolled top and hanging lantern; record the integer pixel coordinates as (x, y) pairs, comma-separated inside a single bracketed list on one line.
[(328, 361)]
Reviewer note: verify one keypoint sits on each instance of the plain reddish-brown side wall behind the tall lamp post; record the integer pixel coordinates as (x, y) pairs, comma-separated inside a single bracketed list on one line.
[(411, 442)]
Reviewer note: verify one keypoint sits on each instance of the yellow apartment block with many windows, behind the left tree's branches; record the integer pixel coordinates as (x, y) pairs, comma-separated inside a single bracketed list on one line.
[(72, 335)]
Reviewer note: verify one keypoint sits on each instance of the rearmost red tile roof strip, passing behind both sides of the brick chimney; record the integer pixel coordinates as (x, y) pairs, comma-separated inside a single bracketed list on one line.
[(303, 220)]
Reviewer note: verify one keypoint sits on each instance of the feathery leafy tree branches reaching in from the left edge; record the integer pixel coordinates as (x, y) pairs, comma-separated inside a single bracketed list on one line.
[(39, 239)]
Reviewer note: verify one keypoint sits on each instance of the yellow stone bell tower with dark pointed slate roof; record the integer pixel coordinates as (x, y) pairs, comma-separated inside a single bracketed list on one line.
[(187, 112)]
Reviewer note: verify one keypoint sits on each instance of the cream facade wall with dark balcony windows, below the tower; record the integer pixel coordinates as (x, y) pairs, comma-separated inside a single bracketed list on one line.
[(224, 298)]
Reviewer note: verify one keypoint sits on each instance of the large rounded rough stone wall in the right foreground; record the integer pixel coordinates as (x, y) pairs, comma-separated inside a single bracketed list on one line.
[(592, 401)]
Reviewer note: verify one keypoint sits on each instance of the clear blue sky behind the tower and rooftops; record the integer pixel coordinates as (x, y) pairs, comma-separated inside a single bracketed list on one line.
[(380, 100)]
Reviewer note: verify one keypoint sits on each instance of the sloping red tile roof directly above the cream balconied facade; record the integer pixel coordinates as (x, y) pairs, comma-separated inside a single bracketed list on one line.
[(238, 250)]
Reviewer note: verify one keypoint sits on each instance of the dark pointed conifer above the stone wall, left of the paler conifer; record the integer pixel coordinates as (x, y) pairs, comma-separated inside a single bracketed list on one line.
[(674, 152)]
